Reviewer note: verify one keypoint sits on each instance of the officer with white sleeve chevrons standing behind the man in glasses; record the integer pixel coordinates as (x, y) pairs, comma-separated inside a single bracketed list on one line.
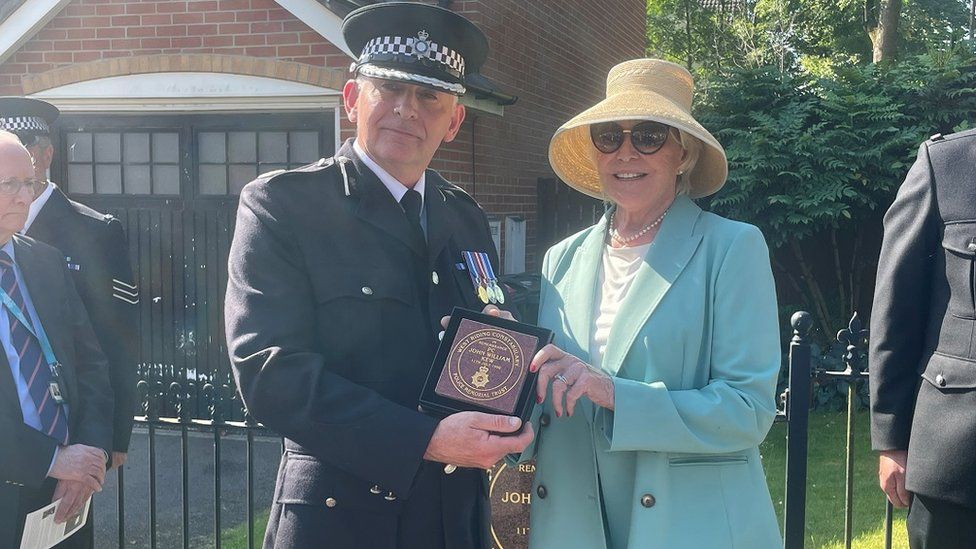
[(96, 254)]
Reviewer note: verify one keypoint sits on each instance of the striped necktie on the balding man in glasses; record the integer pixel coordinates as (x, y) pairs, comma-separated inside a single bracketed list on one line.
[(33, 367)]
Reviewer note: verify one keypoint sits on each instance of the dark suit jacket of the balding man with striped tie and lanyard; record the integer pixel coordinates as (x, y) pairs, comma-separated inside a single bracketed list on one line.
[(25, 453)]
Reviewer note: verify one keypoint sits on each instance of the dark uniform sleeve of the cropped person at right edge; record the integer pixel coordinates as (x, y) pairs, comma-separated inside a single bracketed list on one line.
[(901, 305)]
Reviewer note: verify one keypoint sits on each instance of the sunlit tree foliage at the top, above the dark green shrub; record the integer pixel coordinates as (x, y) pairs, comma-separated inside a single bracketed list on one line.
[(792, 33)]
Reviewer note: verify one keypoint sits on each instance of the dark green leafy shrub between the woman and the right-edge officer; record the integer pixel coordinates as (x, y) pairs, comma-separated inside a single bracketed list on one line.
[(815, 159)]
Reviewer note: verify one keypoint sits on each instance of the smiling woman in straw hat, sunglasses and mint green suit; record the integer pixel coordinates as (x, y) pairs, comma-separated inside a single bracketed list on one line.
[(660, 383)]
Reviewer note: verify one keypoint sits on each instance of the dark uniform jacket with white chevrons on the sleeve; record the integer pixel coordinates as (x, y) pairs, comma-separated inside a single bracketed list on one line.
[(97, 256)]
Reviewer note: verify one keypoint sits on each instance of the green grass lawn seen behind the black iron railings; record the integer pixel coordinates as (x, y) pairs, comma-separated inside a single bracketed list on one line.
[(825, 488)]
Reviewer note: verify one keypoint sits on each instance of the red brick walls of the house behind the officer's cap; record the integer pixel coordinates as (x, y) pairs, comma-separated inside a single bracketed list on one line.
[(553, 55)]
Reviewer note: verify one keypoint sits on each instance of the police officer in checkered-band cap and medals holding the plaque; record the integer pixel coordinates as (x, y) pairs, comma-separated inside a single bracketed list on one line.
[(339, 275)]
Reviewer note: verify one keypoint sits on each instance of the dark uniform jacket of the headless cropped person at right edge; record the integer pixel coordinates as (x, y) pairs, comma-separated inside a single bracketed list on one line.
[(923, 351)]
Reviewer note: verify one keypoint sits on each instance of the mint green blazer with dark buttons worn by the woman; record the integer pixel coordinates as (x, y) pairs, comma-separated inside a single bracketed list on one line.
[(695, 355)]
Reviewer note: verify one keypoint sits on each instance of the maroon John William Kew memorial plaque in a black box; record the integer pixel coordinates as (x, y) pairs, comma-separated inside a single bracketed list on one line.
[(482, 365)]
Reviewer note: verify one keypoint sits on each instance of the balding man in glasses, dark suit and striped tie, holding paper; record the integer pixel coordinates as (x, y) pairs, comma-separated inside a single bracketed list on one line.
[(56, 417)]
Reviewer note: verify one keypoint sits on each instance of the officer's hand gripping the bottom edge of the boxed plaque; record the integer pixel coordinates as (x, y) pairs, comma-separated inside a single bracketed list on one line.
[(474, 439)]
